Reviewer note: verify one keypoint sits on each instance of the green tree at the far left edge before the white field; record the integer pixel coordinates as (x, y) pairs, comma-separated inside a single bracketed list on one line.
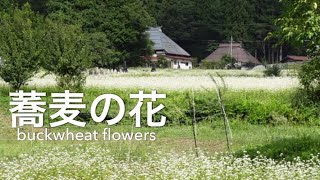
[(19, 49)]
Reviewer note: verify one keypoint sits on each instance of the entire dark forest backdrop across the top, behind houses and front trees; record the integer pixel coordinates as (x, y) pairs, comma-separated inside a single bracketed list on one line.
[(115, 28)]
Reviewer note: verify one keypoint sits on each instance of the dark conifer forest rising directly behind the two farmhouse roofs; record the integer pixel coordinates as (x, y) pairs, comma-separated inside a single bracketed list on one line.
[(196, 24)]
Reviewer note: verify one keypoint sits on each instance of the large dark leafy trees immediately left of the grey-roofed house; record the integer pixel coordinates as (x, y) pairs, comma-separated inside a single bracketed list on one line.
[(120, 26)]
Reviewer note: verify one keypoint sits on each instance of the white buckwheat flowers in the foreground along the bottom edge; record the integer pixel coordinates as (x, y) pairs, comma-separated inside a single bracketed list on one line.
[(97, 162)]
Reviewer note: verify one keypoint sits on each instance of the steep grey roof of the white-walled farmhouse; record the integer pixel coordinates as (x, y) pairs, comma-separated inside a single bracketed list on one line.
[(163, 43)]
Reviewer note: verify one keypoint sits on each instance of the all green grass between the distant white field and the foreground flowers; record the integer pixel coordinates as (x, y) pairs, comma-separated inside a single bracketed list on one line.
[(263, 121)]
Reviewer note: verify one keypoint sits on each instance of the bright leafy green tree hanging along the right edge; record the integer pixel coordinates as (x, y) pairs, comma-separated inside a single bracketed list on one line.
[(301, 25)]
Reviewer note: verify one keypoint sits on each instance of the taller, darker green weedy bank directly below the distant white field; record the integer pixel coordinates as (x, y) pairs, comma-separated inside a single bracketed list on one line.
[(254, 107)]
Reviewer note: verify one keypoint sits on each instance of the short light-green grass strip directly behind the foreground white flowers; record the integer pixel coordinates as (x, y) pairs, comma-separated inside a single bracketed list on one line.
[(277, 142)]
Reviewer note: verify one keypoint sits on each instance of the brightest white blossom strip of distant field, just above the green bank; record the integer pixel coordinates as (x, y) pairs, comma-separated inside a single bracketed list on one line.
[(181, 82)]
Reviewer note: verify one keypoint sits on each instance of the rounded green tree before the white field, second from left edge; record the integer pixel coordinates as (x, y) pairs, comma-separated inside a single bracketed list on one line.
[(66, 54)]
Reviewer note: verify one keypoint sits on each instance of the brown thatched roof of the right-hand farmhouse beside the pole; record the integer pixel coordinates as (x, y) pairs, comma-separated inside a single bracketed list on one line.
[(240, 54)]
